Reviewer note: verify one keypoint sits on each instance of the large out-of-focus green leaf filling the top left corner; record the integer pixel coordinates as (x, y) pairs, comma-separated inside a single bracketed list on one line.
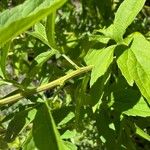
[(30, 12)]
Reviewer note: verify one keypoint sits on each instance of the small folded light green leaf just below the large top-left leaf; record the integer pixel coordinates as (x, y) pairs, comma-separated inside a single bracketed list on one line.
[(39, 33)]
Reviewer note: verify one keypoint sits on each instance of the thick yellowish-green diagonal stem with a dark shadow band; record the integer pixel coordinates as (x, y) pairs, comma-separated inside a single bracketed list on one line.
[(57, 82)]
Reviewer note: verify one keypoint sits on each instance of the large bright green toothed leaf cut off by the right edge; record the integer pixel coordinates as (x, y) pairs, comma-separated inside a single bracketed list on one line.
[(137, 63)]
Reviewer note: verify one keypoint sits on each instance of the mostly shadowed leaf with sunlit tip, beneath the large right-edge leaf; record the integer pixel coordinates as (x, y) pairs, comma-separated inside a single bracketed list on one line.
[(129, 101)]
